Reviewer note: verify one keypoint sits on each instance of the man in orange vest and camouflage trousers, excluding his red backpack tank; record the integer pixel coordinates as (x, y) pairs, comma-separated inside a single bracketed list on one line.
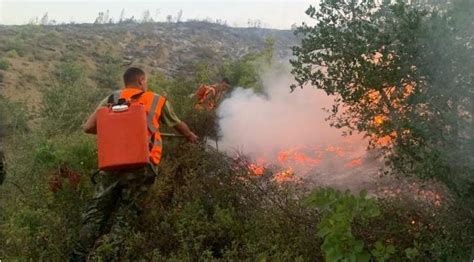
[(121, 192)]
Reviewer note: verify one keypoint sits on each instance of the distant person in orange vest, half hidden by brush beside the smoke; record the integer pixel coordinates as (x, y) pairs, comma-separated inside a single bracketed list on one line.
[(209, 96)]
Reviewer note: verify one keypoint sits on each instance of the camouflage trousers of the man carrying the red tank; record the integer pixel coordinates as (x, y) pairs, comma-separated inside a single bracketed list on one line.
[(116, 204)]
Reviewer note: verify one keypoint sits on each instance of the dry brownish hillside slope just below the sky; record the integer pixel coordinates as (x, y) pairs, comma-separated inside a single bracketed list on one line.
[(173, 49)]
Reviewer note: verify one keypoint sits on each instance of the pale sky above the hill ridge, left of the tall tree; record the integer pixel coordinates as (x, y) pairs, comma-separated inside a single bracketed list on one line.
[(278, 14)]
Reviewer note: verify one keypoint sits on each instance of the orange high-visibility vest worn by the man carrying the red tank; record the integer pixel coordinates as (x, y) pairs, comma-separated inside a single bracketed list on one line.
[(153, 104)]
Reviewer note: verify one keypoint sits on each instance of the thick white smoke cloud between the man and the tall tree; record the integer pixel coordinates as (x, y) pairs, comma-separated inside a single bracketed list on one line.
[(261, 125)]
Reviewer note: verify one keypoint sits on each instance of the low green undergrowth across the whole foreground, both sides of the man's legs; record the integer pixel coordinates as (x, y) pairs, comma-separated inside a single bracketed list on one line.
[(206, 206)]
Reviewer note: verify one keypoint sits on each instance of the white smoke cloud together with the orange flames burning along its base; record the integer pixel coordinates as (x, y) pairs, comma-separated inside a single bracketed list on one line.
[(286, 133)]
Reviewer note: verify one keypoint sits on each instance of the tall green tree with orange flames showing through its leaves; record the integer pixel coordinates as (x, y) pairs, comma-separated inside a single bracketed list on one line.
[(400, 73)]
